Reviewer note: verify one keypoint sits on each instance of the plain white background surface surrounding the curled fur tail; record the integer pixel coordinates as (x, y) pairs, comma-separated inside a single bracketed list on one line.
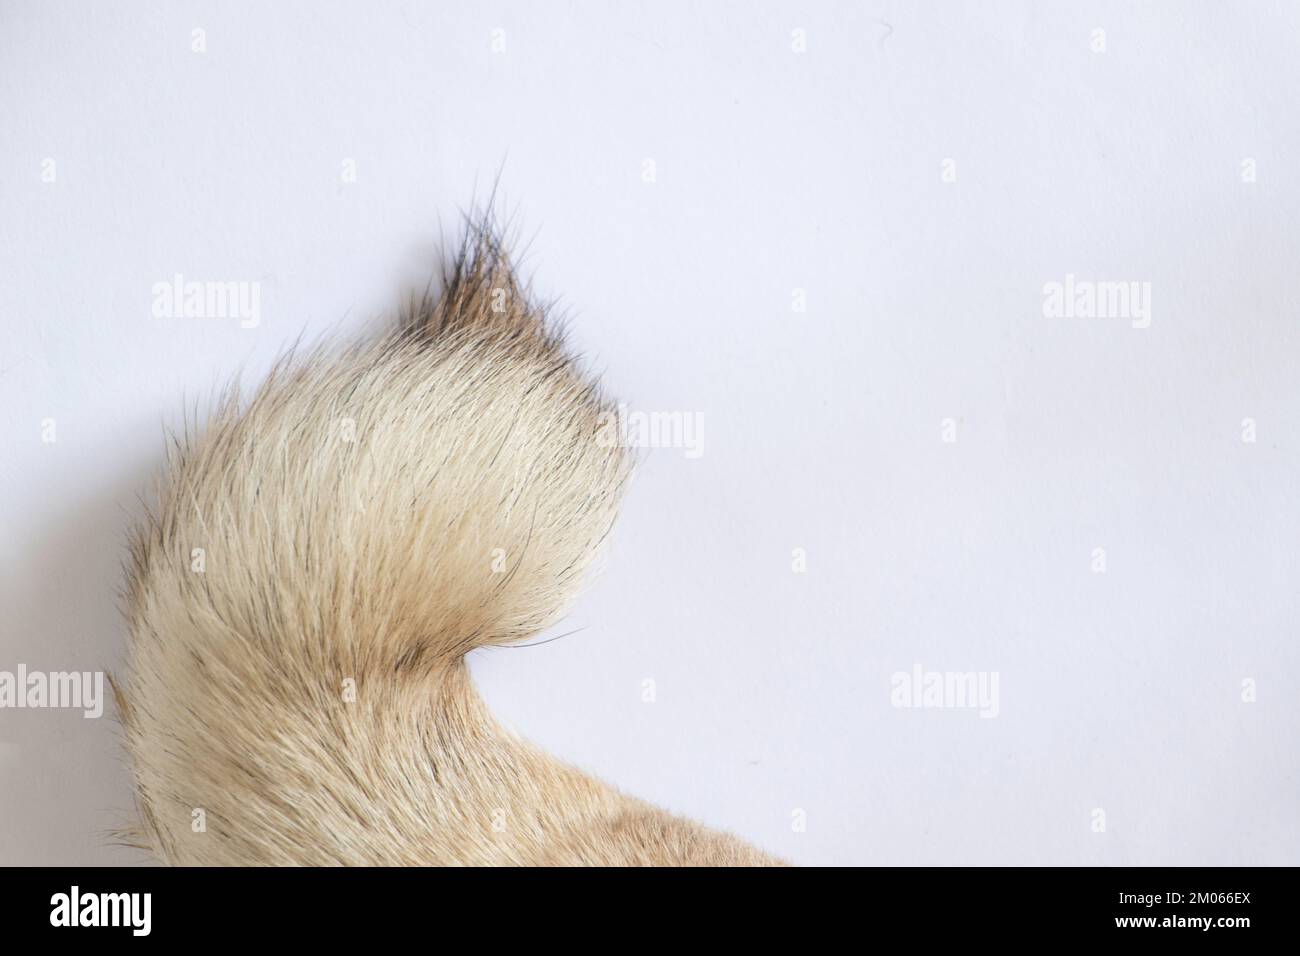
[(777, 171)]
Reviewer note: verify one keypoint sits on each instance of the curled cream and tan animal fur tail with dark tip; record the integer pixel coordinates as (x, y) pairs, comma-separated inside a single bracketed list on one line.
[(366, 521)]
